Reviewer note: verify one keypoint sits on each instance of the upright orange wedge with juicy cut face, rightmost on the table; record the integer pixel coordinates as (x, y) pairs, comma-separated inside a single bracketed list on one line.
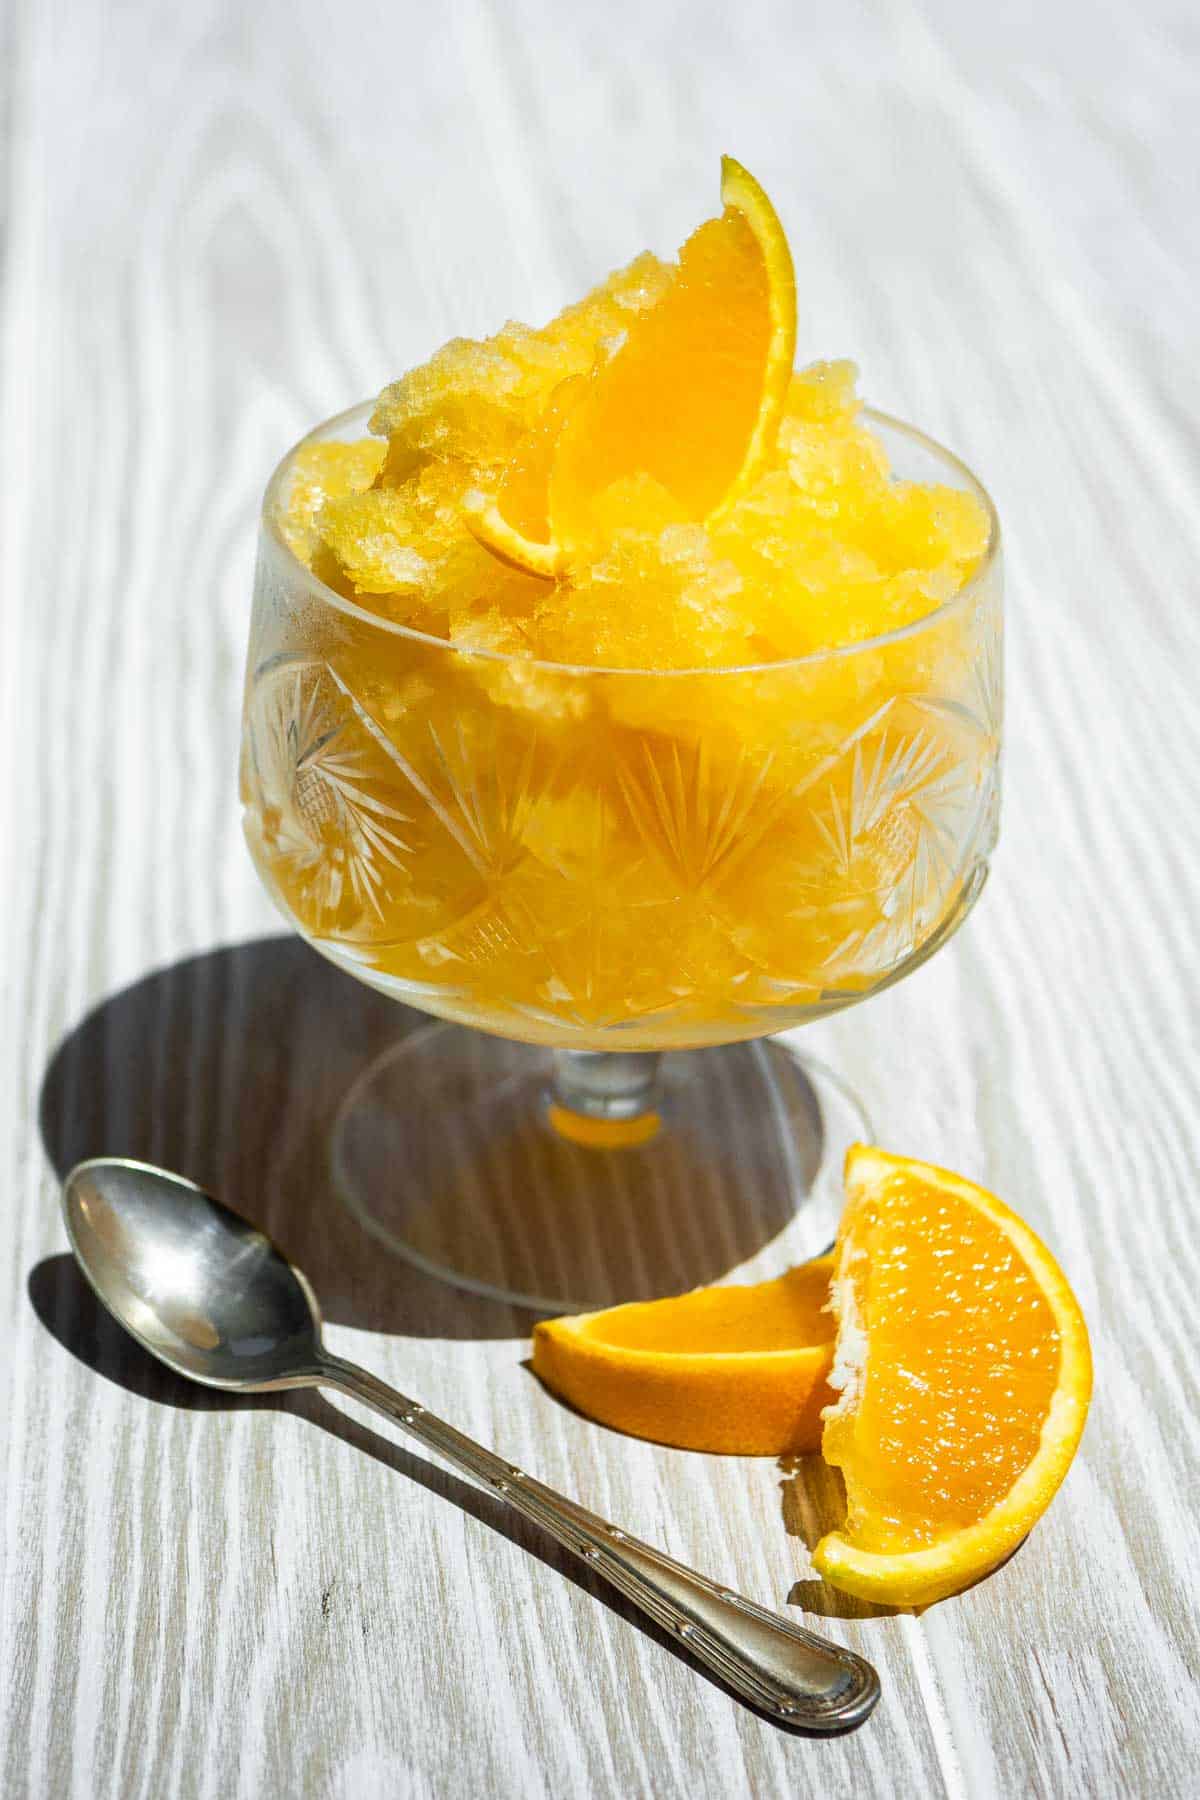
[(965, 1376)]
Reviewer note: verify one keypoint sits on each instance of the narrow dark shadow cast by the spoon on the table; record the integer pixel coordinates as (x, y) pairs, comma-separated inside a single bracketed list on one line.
[(85, 1329)]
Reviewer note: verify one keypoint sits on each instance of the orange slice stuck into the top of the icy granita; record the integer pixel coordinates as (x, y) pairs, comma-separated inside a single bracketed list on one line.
[(686, 409)]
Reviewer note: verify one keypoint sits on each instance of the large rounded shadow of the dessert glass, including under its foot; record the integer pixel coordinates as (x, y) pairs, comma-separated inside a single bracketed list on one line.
[(231, 1068)]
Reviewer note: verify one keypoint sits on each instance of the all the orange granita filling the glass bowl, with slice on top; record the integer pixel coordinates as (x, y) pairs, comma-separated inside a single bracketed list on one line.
[(661, 705)]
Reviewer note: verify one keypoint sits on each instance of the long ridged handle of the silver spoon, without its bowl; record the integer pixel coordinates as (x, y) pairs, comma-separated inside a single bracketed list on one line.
[(776, 1666)]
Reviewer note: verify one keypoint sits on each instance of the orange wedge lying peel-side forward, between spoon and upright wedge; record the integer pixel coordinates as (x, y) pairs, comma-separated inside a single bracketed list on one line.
[(724, 1369)]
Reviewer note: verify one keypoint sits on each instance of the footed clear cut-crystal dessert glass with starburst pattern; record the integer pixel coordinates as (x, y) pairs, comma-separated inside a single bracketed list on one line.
[(613, 886)]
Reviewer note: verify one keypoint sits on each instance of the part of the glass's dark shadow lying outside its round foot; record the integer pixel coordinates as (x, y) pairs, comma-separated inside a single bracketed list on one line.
[(229, 1068)]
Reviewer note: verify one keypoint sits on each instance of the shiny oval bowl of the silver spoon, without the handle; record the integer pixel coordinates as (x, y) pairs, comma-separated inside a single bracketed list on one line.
[(201, 1288)]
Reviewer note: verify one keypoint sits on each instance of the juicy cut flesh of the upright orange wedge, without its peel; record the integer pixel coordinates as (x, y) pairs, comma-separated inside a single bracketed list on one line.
[(960, 1369)]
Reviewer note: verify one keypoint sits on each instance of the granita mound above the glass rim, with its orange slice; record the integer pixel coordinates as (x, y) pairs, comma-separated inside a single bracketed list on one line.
[(641, 483)]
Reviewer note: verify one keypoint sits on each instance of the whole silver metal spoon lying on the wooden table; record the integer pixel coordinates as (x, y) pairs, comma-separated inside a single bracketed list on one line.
[(213, 1299)]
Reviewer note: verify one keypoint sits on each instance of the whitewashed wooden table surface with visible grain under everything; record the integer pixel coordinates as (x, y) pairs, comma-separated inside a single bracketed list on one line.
[(224, 222)]
